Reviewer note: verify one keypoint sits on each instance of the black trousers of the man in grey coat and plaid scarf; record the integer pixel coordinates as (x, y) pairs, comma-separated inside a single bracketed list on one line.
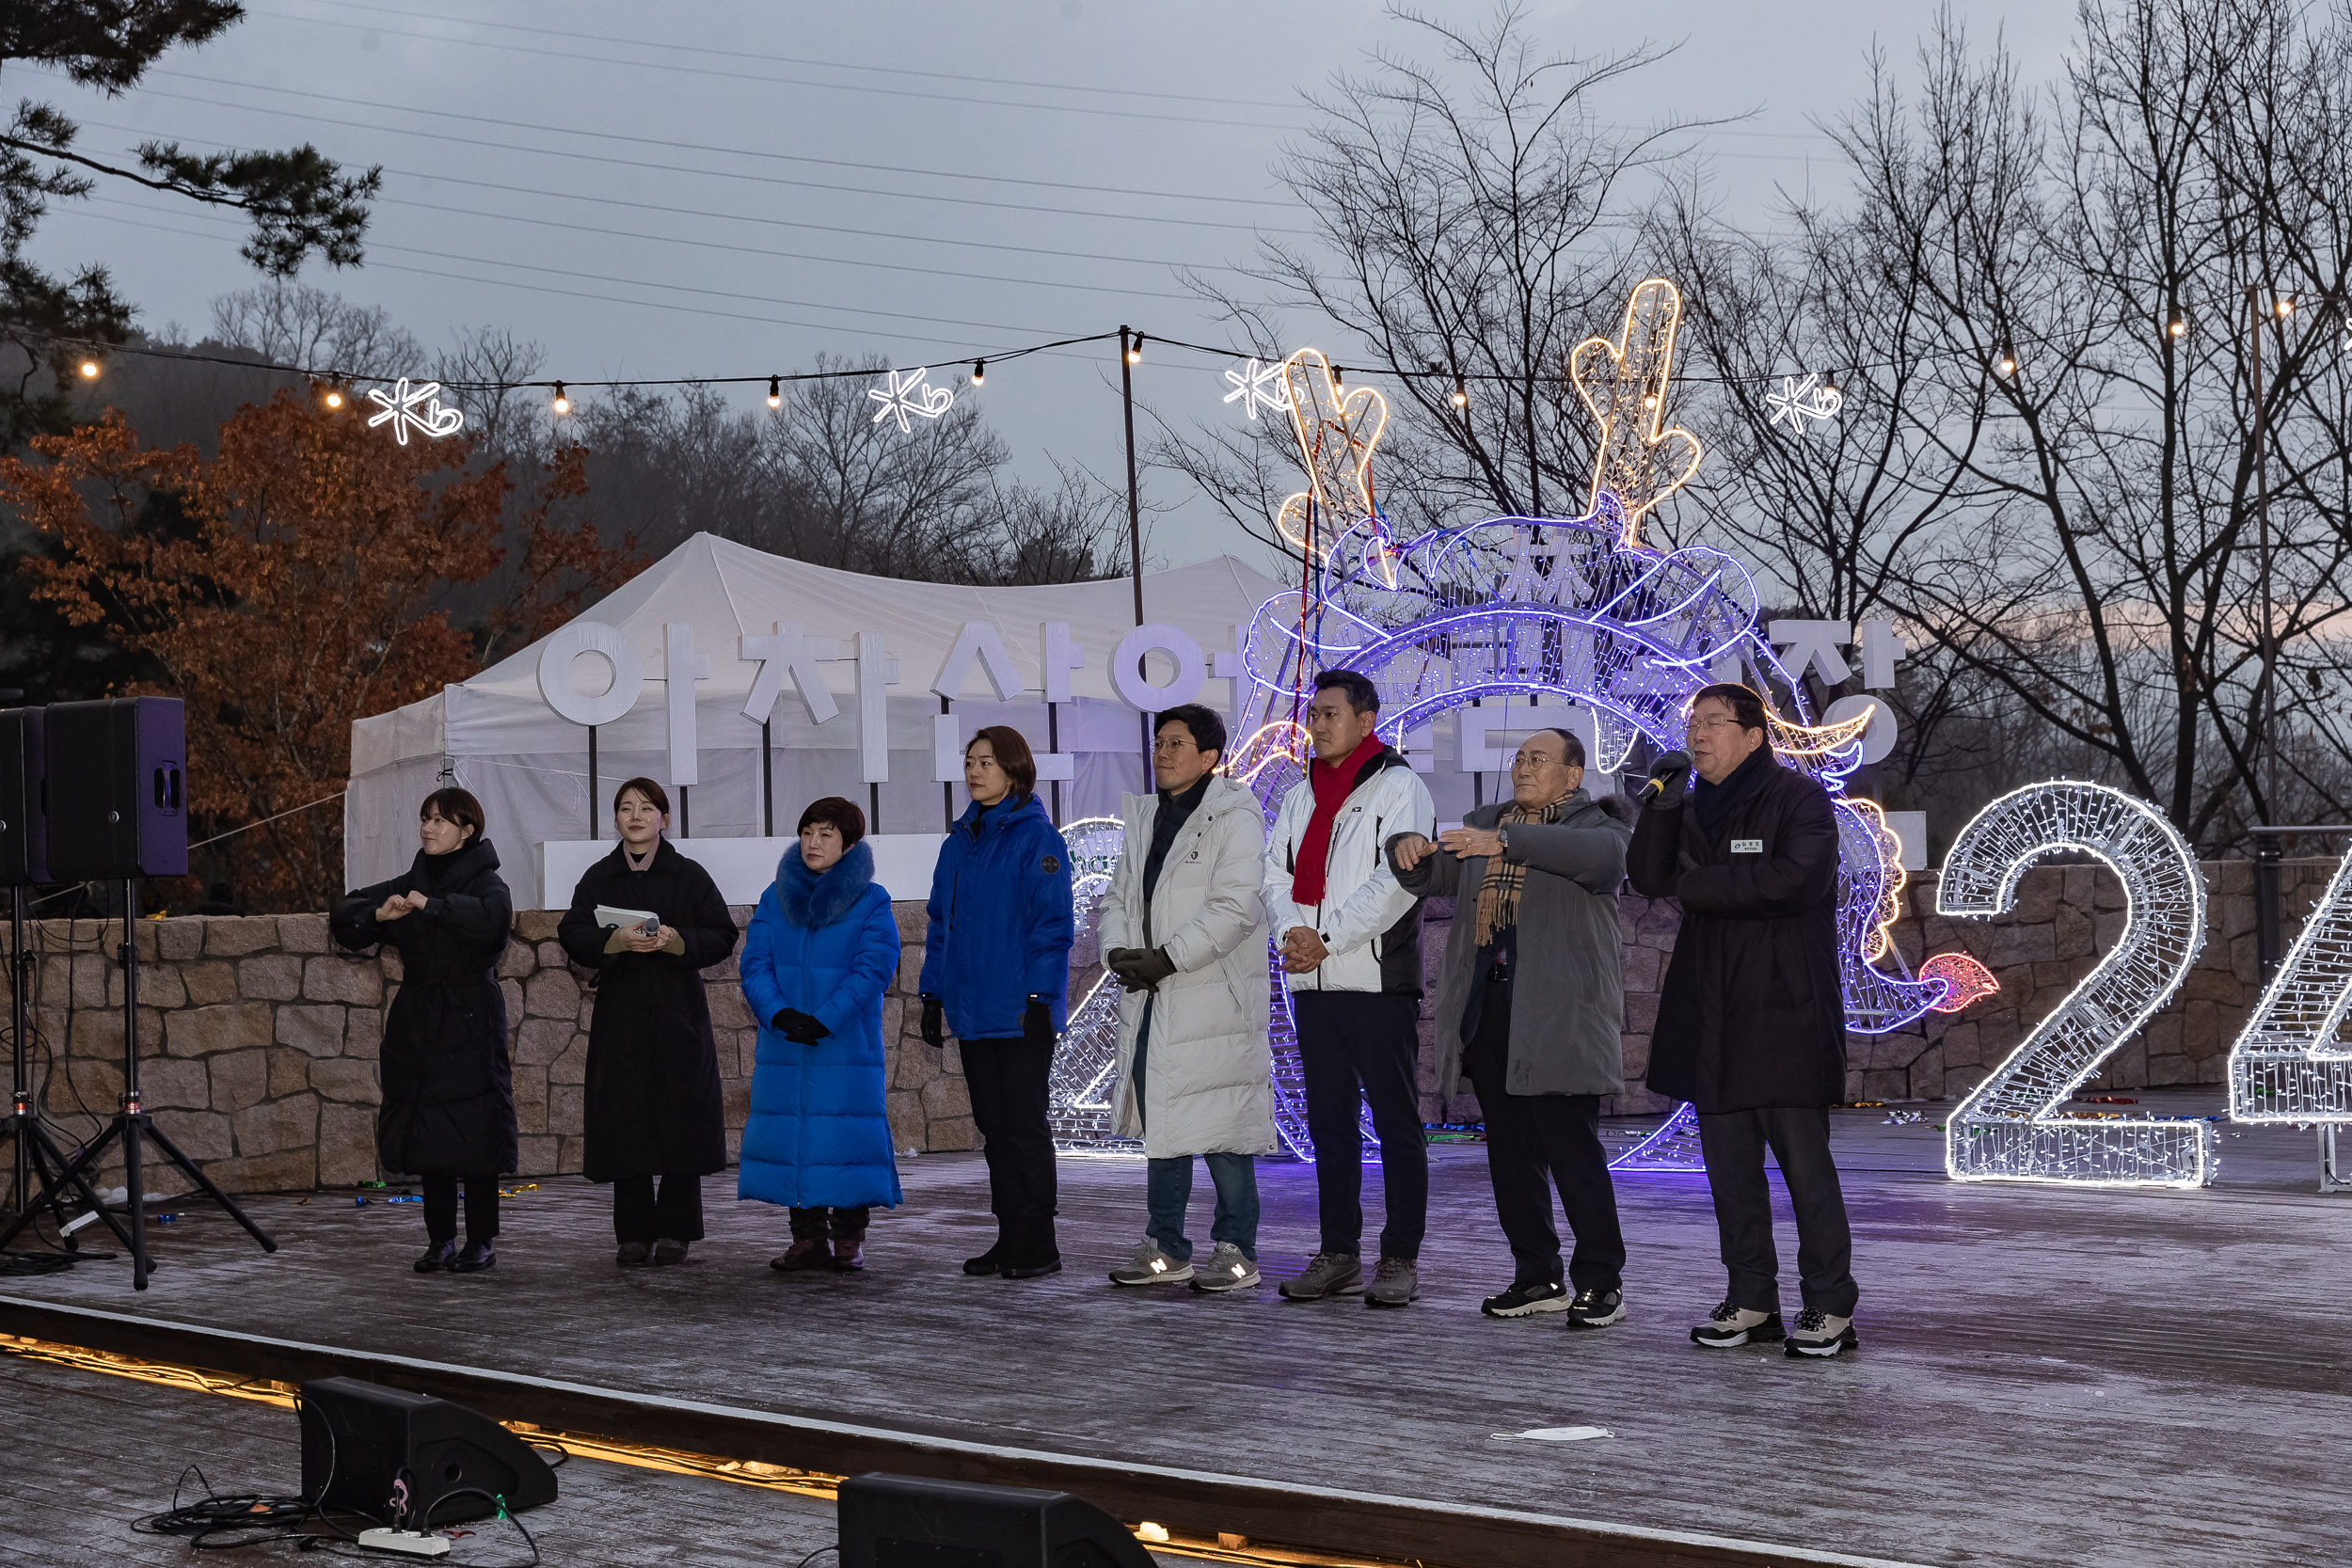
[(1530, 1137)]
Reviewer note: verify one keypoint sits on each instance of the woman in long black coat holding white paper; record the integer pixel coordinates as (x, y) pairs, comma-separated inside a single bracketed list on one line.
[(653, 1068)]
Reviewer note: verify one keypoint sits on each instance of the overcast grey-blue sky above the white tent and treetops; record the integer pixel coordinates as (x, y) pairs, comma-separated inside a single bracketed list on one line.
[(735, 189)]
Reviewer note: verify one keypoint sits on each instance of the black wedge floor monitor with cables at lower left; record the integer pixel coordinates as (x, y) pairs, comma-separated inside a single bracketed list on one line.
[(363, 1440)]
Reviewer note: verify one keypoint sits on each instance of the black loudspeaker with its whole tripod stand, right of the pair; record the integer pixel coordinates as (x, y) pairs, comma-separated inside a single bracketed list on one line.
[(116, 812)]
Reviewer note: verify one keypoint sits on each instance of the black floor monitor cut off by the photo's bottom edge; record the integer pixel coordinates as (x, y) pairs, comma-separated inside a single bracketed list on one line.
[(907, 1522)]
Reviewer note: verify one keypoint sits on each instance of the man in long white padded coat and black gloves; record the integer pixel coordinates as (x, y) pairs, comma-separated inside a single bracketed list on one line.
[(1184, 937)]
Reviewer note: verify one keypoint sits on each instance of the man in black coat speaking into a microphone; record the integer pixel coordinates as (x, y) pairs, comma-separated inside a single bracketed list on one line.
[(1753, 1019)]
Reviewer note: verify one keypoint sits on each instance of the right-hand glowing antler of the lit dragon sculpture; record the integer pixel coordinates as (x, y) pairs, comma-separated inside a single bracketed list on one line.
[(1641, 462)]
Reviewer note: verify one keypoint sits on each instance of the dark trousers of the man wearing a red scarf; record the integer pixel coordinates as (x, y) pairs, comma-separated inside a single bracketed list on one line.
[(1365, 1043)]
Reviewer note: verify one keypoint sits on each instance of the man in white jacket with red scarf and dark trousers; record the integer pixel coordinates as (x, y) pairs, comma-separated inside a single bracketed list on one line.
[(1351, 949)]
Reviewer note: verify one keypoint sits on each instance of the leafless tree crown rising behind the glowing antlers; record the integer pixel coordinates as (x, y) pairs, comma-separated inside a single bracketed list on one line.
[(1474, 220)]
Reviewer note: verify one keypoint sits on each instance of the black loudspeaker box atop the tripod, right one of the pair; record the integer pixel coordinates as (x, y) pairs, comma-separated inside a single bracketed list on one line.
[(119, 786)]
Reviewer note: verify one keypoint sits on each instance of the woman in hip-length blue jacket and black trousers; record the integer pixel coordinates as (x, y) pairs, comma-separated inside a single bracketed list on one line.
[(996, 972)]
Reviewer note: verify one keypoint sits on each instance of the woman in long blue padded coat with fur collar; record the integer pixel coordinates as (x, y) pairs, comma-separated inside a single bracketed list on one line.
[(820, 956)]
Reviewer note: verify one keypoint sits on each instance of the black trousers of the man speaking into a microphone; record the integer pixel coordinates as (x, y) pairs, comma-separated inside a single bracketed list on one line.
[(1800, 1141)]
